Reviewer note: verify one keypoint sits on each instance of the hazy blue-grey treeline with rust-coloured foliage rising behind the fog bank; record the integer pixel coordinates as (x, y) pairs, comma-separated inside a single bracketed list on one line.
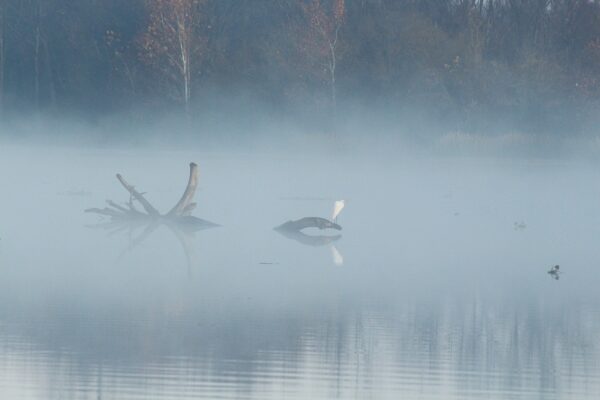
[(535, 63)]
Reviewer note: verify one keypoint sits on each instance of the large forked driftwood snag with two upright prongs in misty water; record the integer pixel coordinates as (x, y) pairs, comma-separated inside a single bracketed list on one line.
[(179, 216)]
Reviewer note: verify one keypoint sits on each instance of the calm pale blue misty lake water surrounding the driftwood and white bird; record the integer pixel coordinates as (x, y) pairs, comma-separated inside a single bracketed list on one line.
[(437, 288)]
